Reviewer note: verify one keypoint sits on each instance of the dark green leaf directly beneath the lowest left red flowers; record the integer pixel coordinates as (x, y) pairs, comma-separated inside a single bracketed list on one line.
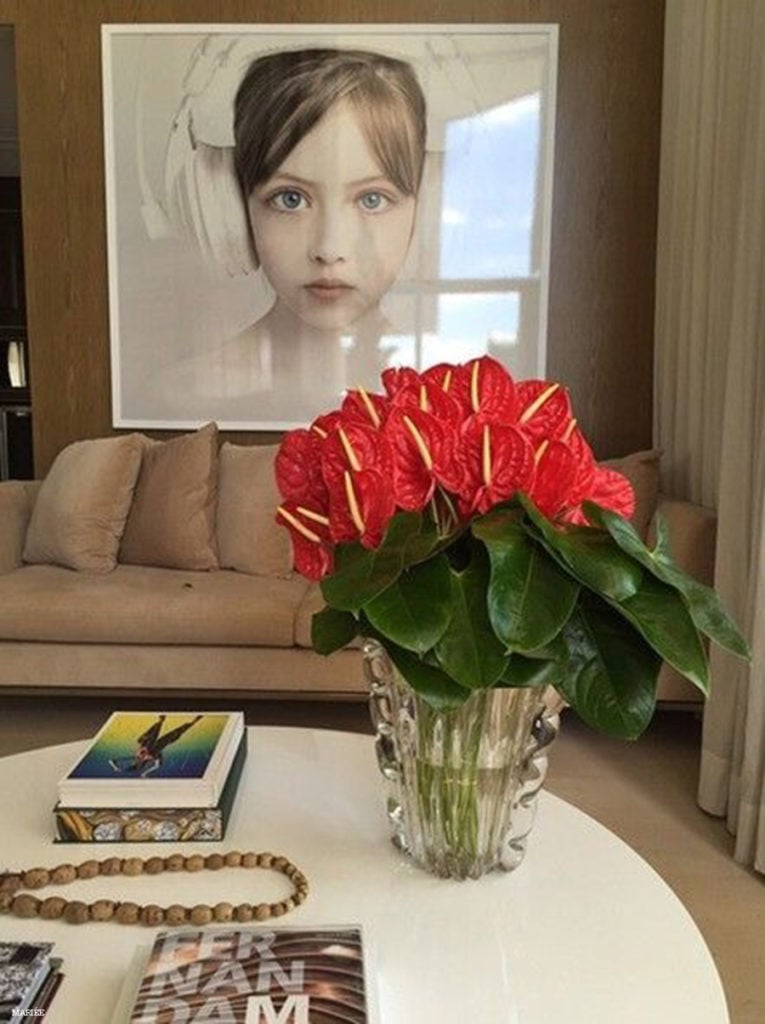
[(362, 574)]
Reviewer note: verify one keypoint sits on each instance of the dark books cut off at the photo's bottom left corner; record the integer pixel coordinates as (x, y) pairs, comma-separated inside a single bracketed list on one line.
[(29, 979)]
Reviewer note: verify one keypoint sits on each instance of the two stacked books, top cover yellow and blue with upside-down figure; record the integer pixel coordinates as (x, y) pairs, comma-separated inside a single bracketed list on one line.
[(150, 777)]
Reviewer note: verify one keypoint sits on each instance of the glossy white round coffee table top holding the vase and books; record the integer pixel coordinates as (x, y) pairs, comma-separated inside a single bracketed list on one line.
[(584, 932)]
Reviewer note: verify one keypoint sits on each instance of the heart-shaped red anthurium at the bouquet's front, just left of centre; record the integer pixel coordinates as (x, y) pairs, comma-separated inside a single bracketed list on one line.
[(424, 453)]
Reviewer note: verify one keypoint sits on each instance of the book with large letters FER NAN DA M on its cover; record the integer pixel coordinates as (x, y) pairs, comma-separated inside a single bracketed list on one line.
[(256, 976)]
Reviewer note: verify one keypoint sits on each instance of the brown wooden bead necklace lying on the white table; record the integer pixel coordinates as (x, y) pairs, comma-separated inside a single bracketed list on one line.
[(24, 905)]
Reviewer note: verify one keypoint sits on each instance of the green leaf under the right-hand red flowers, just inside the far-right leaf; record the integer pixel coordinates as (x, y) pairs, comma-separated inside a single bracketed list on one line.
[(589, 554)]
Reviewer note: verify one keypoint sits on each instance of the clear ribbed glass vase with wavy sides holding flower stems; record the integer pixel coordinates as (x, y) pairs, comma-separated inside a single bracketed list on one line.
[(461, 786)]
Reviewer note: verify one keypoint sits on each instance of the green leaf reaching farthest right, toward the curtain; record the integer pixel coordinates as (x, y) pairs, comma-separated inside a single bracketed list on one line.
[(705, 607)]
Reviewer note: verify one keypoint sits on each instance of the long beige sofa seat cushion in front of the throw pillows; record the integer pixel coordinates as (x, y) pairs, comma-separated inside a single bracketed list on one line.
[(145, 606)]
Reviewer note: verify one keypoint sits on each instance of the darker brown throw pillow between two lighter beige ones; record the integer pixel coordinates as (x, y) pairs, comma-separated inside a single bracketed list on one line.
[(173, 520)]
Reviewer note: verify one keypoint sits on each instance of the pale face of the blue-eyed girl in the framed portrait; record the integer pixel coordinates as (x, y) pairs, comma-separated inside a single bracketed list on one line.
[(331, 229)]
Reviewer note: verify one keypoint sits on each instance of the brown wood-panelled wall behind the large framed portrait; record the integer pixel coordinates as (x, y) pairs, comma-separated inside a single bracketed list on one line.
[(604, 233)]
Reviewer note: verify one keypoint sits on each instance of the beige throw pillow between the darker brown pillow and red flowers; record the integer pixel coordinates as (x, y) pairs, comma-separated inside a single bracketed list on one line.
[(249, 540)]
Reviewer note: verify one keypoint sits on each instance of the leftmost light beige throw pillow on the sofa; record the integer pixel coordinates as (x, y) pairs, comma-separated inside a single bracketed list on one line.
[(83, 503)]
